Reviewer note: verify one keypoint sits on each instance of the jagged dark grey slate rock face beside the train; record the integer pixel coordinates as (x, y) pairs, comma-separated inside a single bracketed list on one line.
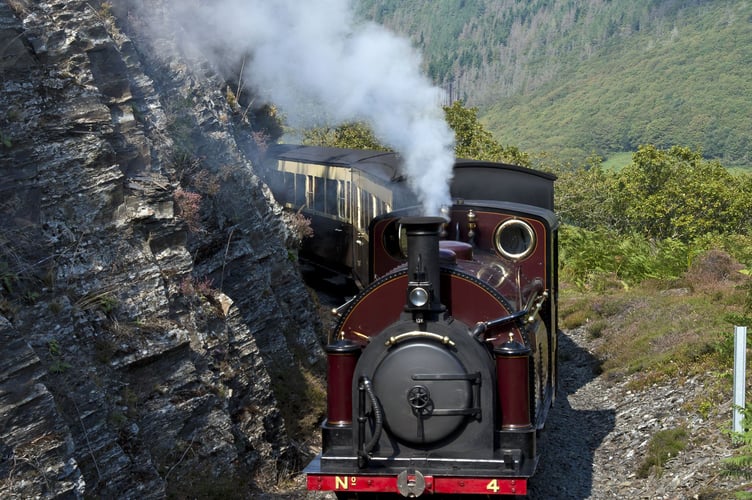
[(141, 348)]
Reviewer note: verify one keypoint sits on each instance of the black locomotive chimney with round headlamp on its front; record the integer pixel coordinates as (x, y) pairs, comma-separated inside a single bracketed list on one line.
[(423, 288)]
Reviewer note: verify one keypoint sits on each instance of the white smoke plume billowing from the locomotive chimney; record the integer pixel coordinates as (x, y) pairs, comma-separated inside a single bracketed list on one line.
[(312, 54)]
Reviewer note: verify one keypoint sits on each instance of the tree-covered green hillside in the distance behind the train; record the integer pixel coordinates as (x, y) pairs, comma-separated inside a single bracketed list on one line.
[(603, 76)]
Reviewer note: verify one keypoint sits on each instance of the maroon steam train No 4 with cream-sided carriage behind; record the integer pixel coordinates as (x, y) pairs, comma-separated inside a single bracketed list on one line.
[(442, 369)]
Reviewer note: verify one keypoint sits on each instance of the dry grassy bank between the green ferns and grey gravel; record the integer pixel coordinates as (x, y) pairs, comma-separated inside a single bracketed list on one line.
[(659, 330)]
